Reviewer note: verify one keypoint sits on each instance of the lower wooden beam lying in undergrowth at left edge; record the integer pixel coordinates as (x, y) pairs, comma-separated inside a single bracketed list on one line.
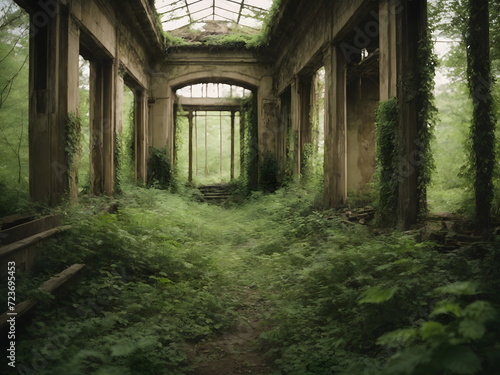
[(49, 286)]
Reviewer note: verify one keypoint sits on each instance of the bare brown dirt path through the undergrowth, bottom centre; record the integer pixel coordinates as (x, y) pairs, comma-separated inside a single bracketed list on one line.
[(235, 352)]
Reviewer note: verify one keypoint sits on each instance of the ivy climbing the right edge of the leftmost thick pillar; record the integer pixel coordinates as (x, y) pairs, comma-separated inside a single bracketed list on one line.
[(73, 146)]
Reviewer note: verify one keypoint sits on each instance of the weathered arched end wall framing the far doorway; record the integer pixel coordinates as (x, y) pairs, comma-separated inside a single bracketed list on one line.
[(186, 66)]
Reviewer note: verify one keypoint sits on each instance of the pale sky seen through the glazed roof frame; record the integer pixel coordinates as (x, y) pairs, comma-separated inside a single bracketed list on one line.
[(178, 13)]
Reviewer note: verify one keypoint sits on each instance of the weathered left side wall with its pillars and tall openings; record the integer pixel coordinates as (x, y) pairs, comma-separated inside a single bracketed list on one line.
[(119, 38)]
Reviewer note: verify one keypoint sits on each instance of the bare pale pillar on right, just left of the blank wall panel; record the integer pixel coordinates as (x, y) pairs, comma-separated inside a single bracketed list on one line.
[(335, 167)]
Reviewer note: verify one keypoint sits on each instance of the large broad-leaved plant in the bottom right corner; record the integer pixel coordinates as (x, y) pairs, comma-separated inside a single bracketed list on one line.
[(460, 340)]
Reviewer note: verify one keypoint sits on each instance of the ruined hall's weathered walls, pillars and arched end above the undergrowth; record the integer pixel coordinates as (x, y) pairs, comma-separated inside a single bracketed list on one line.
[(361, 48)]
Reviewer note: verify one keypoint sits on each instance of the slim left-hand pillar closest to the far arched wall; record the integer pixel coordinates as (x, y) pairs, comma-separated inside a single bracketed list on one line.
[(141, 135)]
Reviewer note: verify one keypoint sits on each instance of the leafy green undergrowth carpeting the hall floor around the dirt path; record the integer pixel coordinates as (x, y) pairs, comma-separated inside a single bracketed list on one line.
[(165, 273)]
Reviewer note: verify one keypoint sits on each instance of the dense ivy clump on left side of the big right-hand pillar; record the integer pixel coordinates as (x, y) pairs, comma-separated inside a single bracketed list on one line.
[(387, 125)]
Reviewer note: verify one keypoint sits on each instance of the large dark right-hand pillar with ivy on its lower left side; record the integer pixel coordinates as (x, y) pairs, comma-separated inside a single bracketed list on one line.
[(401, 29)]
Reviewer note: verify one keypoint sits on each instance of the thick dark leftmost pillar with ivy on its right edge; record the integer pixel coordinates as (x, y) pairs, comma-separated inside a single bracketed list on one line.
[(54, 51)]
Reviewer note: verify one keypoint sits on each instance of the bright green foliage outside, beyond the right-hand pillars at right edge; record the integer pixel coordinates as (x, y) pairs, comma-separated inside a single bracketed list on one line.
[(452, 149)]
